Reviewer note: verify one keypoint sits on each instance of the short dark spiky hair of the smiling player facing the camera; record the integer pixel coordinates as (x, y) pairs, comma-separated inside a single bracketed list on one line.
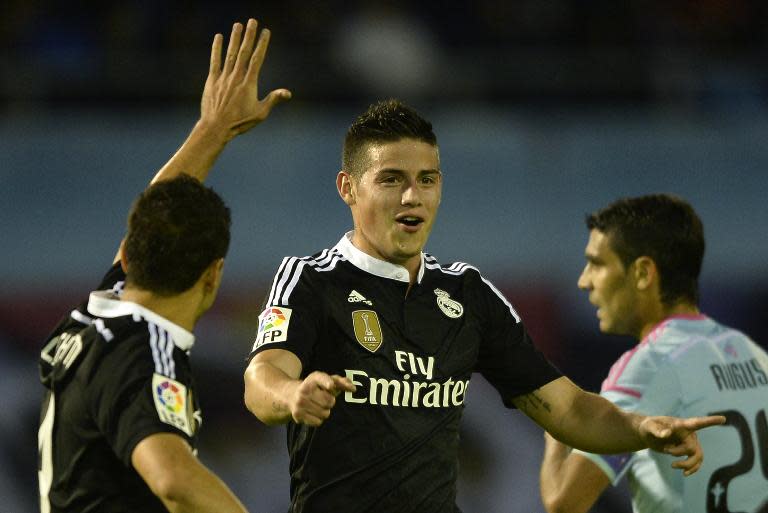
[(386, 121)]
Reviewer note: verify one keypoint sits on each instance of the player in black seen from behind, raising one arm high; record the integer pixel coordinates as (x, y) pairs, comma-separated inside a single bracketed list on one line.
[(120, 417)]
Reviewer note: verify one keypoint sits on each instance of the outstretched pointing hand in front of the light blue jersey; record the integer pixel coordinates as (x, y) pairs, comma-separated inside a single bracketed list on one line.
[(677, 437)]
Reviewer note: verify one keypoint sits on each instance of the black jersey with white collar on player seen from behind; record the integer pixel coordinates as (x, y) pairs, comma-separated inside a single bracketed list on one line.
[(114, 373)]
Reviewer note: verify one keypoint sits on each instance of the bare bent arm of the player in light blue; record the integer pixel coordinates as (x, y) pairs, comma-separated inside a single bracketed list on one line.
[(568, 482)]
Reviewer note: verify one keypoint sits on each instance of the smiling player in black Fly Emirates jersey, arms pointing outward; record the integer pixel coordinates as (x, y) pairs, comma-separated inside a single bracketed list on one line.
[(366, 349)]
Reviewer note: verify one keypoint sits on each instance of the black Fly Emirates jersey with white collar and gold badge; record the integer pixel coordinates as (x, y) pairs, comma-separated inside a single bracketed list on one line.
[(392, 445)]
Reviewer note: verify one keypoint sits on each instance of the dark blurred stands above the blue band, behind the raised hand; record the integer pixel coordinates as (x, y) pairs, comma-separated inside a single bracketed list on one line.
[(686, 52)]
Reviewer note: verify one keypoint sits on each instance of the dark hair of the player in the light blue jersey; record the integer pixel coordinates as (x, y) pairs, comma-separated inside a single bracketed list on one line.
[(666, 229)]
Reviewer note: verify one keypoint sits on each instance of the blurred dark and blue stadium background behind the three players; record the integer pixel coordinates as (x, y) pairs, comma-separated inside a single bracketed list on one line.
[(544, 111)]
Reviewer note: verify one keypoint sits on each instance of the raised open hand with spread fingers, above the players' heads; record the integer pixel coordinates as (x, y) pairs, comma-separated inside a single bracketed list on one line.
[(230, 98)]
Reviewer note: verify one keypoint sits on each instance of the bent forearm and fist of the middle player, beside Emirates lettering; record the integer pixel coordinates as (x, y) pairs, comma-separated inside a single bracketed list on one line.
[(275, 394)]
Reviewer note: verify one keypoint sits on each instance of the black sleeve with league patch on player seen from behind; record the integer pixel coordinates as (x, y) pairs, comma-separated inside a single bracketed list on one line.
[(130, 401)]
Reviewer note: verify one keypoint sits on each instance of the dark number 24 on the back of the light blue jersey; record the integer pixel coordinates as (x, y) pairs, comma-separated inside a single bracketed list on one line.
[(717, 489)]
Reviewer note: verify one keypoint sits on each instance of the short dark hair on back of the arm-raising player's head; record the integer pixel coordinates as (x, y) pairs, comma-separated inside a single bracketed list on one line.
[(176, 229)]
